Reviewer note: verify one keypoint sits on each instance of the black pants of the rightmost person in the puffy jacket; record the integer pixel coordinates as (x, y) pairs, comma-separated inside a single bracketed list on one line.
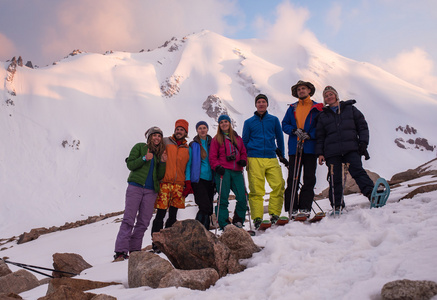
[(355, 169)]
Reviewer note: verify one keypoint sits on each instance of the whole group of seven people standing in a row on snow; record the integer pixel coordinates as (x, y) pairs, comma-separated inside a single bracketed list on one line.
[(163, 171)]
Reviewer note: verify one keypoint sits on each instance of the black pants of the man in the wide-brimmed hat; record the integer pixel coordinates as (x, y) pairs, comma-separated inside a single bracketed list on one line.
[(304, 199)]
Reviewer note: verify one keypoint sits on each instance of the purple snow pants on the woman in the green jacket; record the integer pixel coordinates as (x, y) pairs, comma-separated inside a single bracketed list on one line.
[(139, 205)]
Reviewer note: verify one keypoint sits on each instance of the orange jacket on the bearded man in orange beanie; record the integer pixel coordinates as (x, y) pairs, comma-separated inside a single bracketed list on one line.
[(177, 159)]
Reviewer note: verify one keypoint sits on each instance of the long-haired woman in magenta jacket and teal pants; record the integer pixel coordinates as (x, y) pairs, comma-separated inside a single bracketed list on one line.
[(228, 157)]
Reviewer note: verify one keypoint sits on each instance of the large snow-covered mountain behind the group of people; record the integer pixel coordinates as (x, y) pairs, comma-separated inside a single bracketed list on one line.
[(68, 127)]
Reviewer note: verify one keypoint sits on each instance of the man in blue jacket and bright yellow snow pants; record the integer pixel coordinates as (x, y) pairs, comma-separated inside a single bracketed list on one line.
[(262, 134)]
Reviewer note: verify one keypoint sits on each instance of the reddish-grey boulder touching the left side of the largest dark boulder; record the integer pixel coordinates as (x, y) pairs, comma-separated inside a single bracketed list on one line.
[(147, 269)]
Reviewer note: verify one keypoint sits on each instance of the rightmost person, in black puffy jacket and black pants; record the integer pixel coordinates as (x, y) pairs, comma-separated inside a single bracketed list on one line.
[(342, 137)]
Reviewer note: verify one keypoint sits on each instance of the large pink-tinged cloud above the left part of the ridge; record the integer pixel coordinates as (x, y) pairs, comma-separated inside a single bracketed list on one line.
[(99, 25)]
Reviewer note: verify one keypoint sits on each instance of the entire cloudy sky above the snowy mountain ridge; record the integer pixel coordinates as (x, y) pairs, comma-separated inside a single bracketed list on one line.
[(397, 35)]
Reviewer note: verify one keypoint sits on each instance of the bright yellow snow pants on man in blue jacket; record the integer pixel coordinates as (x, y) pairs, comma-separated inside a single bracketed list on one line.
[(259, 170)]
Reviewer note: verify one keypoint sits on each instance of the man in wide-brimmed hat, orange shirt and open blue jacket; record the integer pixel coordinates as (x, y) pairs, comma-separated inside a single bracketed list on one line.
[(300, 124)]
